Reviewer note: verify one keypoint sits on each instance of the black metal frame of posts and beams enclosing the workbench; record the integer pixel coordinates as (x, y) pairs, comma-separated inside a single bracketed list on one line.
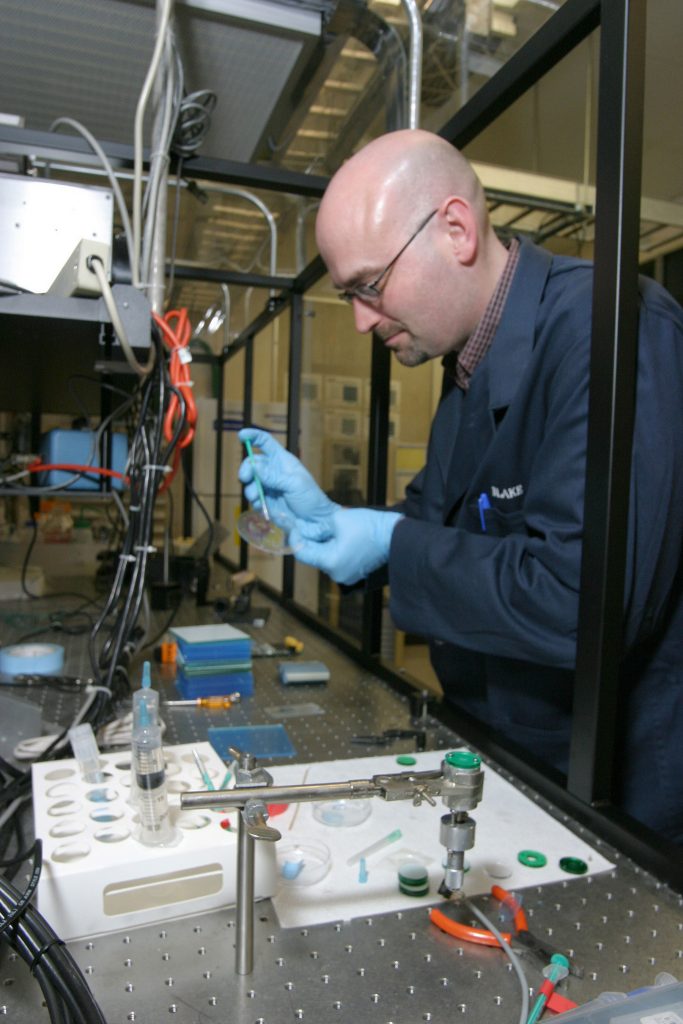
[(589, 785)]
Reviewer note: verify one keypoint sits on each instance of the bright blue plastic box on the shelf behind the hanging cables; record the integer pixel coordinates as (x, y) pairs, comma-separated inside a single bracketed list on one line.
[(76, 448)]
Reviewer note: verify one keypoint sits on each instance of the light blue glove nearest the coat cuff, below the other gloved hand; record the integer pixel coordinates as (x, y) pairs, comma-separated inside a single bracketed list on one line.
[(359, 543)]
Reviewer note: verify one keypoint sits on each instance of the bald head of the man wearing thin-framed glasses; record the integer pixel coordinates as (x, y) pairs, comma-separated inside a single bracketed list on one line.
[(405, 233)]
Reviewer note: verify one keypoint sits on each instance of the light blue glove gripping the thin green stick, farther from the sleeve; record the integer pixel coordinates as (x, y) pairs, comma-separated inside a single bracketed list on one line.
[(290, 490)]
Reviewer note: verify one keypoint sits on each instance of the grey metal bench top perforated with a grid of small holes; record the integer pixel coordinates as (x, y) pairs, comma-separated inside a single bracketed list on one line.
[(620, 925)]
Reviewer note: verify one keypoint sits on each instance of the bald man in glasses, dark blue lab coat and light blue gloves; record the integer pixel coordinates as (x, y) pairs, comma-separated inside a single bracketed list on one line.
[(484, 554)]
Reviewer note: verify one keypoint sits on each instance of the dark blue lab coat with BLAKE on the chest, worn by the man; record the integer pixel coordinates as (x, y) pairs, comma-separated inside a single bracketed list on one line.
[(500, 605)]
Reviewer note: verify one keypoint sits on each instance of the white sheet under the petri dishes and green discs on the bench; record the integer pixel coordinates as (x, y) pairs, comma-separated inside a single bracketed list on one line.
[(507, 822)]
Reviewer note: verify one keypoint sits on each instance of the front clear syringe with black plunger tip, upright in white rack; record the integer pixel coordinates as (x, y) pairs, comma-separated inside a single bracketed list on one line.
[(152, 801)]
